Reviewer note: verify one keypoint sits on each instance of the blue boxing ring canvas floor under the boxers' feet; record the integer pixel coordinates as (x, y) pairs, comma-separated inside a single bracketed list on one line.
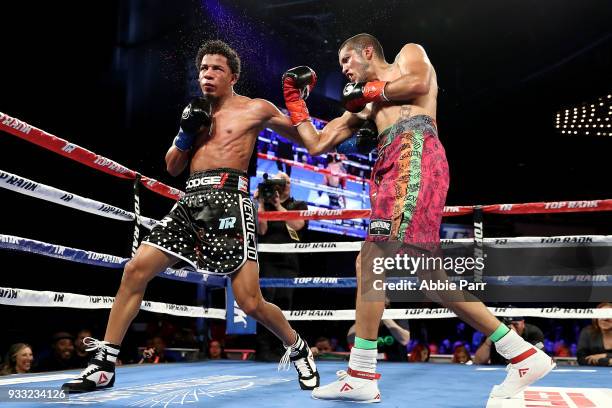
[(239, 384)]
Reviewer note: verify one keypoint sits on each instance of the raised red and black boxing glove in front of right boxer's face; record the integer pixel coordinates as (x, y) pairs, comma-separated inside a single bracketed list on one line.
[(297, 84)]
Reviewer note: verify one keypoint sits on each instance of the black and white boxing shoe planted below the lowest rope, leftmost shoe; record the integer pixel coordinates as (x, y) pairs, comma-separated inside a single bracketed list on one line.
[(100, 373)]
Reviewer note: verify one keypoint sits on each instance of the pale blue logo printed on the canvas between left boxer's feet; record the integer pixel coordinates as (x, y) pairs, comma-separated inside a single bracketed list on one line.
[(181, 392)]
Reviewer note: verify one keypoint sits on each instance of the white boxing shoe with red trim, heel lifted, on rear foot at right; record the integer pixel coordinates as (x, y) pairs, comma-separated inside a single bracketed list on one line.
[(523, 370)]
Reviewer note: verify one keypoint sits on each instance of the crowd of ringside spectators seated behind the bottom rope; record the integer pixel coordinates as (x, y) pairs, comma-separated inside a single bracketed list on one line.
[(591, 345)]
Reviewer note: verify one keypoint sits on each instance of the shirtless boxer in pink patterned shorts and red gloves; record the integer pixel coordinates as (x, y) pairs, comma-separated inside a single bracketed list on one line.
[(410, 180)]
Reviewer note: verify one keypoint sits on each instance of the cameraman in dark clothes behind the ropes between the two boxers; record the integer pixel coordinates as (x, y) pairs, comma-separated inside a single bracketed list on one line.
[(278, 265)]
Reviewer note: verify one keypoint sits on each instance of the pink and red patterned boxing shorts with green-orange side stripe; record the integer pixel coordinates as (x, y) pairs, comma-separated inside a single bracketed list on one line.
[(409, 183)]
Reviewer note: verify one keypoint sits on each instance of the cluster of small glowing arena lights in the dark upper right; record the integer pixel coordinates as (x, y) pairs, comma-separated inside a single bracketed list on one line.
[(584, 116)]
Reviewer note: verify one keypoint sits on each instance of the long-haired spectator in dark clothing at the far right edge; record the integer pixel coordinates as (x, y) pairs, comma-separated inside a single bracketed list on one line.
[(595, 342)]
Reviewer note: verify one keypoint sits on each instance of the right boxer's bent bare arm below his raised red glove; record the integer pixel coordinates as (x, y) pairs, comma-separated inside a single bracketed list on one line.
[(335, 132)]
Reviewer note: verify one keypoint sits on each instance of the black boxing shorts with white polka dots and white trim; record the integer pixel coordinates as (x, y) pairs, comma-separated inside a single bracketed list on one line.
[(213, 227)]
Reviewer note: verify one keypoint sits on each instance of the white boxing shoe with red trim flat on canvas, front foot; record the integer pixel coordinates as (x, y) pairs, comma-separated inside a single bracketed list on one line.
[(351, 385)]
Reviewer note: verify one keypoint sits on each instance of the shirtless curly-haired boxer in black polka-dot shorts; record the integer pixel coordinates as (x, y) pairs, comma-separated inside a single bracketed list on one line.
[(212, 228)]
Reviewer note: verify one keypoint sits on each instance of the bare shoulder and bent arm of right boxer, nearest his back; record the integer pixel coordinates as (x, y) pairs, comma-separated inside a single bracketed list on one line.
[(416, 73)]
